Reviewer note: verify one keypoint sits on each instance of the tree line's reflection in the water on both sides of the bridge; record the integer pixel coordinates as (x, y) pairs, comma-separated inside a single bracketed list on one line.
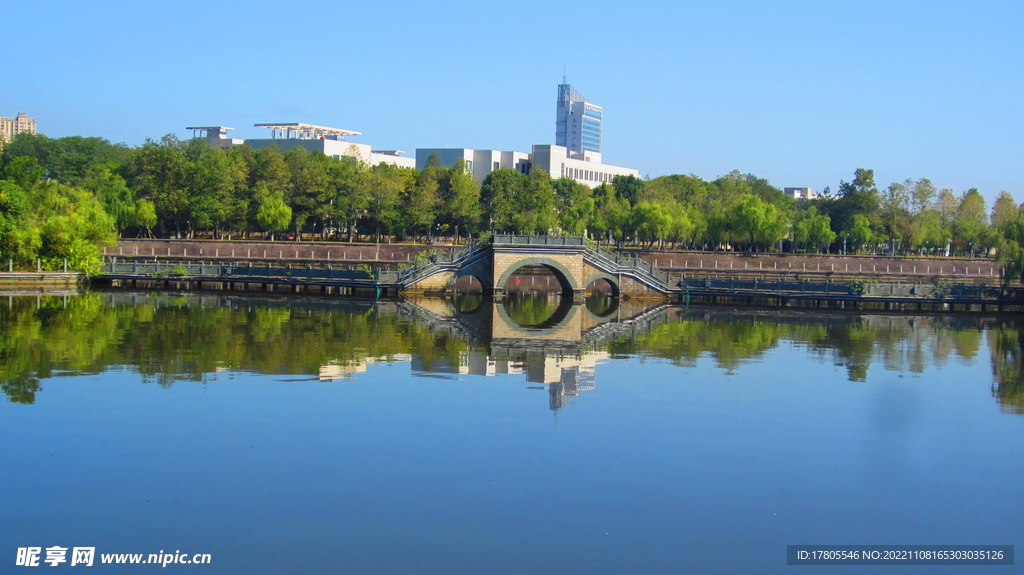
[(174, 341)]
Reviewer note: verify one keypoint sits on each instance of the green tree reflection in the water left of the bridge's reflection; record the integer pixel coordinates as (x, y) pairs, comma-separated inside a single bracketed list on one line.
[(165, 343)]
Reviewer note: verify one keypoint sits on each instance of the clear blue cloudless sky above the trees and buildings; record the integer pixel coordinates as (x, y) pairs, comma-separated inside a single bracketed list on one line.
[(799, 93)]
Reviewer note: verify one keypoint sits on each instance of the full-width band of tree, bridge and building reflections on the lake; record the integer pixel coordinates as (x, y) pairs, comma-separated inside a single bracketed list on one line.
[(210, 337)]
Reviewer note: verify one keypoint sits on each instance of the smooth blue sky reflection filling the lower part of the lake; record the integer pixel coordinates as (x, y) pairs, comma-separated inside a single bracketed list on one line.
[(665, 470)]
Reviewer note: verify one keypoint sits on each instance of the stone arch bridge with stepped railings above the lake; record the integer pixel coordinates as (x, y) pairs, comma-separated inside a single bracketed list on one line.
[(575, 264)]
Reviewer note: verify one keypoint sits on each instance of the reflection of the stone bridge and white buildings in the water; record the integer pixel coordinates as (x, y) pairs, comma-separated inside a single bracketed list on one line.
[(542, 336)]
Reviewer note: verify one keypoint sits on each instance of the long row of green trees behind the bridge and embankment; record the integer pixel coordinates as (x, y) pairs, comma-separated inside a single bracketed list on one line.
[(60, 196)]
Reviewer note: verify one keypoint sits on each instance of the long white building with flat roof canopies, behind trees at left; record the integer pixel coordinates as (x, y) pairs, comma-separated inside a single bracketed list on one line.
[(329, 142)]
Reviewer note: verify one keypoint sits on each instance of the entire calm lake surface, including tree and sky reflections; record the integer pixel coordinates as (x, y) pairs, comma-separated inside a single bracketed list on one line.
[(334, 436)]
